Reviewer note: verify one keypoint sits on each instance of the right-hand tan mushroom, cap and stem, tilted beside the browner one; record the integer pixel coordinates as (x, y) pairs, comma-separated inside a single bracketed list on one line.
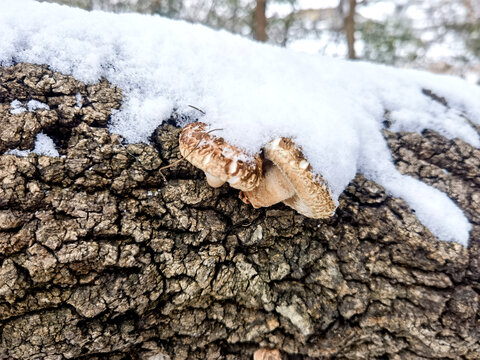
[(289, 177)]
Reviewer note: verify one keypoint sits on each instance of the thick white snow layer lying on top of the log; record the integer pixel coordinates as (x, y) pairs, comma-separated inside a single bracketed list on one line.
[(253, 92)]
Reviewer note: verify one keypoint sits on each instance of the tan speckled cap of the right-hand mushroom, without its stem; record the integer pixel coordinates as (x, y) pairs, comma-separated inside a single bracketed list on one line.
[(312, 197)]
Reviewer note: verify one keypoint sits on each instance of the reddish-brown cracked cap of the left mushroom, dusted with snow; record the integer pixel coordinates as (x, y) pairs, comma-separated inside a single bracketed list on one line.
[(219, 159)]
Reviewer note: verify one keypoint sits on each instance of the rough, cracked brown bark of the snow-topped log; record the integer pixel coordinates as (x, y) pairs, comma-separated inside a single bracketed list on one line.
[(104, 256)]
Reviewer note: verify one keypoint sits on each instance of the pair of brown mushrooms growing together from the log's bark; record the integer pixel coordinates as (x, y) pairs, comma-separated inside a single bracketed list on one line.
[(279, 174)]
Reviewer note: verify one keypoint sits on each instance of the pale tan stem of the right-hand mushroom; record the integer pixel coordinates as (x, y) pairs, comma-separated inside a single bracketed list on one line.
[(272, 189)]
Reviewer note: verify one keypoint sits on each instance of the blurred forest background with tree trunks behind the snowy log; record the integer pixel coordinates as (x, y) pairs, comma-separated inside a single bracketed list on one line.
[(438, 35)]
